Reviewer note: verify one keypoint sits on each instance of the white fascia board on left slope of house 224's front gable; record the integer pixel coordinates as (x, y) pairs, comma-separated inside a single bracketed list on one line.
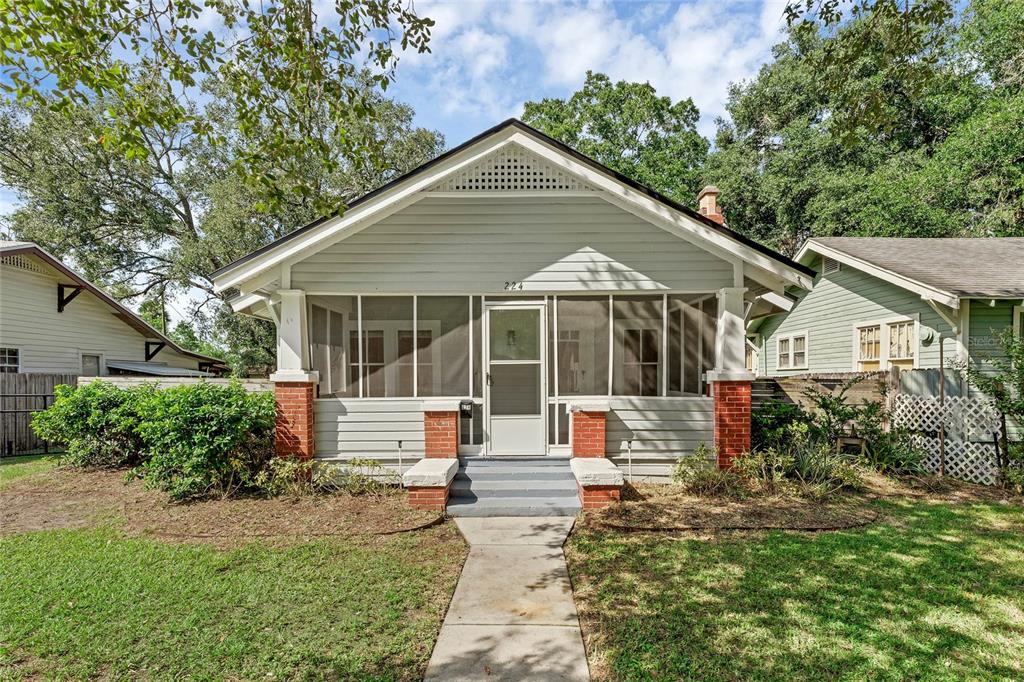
[(362, 217)]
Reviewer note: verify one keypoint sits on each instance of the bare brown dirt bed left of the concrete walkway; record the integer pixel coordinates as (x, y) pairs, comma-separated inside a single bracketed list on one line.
[(73, 499)]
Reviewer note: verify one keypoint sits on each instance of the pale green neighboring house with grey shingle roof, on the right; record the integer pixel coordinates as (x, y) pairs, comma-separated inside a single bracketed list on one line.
[(884, 303)]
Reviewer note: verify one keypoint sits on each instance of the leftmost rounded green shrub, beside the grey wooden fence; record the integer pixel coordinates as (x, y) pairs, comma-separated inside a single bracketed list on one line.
[(97, 423)]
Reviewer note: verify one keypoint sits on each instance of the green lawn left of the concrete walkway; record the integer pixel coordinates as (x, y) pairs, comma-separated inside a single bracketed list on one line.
[(94, 603)]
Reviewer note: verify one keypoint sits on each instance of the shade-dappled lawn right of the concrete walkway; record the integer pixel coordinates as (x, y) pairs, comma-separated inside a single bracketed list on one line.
[(934, 591)]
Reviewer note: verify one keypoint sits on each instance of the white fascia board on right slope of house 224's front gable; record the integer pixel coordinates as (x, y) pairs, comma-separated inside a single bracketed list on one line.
[(664, 217)]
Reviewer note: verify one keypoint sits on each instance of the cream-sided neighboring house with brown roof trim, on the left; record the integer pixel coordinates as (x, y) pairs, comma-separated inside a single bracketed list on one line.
[(54, 321)]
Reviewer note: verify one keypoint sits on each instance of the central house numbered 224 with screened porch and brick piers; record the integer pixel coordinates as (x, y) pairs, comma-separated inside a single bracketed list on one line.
[(511, 299)]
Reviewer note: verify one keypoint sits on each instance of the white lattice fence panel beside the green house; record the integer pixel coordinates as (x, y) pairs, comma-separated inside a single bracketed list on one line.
[(971, 429)]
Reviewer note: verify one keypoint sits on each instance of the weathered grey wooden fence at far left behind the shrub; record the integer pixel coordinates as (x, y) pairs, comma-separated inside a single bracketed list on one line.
[(21, 397)]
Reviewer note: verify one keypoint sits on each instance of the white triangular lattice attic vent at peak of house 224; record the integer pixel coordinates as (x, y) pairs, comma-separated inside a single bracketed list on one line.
[(513, 169)]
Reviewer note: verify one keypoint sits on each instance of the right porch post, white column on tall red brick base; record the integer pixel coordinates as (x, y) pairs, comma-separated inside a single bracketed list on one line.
[(732, 381)]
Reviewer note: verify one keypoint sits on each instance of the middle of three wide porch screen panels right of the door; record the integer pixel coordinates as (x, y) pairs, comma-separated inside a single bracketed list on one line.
[(637, 346)]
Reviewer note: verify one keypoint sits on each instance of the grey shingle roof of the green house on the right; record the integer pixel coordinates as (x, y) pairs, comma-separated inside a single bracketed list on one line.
[(964, 268)]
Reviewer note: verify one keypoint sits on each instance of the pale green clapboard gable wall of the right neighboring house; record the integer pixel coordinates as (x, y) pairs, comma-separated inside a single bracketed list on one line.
[(830, 312)]
